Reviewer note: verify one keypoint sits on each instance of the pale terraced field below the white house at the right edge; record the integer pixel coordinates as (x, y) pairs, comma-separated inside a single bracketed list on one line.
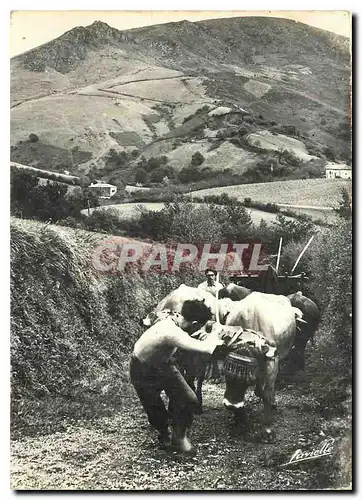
[(308, 192)]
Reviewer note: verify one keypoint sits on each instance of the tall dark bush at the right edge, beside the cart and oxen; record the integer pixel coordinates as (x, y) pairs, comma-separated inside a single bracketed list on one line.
[(332, 361)]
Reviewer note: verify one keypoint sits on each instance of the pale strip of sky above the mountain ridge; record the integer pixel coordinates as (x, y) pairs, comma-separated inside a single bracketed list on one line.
[(29, 29)]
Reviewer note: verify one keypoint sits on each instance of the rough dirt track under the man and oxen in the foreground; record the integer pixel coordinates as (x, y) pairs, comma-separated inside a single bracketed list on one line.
[(120, 453)]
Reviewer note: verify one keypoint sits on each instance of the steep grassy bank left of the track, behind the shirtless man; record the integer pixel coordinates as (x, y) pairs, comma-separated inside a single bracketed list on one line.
[(72, 330)]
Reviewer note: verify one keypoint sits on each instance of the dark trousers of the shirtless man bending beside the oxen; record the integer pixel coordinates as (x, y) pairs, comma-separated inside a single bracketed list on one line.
[(150, 381)]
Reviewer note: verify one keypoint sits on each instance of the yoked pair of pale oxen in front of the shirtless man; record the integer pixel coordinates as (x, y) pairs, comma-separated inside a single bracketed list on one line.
[(259, 331)]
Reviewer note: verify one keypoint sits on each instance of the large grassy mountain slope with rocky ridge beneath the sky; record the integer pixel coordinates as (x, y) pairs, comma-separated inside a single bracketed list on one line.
[(96, 88)]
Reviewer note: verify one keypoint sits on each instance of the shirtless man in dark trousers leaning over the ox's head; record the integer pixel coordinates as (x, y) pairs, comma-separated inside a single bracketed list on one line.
[(152, 371)]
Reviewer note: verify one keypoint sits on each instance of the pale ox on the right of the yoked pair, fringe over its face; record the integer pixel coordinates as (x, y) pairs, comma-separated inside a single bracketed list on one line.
[(275, 318)]
